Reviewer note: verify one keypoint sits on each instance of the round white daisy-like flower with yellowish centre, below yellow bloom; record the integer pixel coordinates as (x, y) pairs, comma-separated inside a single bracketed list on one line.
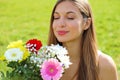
[(13, 54)]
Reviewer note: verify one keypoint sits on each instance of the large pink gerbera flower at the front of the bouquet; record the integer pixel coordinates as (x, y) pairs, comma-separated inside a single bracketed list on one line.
[(51, 70)]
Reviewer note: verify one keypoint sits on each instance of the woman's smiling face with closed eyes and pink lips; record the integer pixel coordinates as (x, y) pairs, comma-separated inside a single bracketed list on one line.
[(68, 22)]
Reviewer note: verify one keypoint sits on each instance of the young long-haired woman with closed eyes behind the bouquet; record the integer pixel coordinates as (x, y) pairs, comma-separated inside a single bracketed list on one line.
[(72, 27)]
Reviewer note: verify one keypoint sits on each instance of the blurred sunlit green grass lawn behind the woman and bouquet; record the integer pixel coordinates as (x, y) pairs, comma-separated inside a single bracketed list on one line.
[(26, 19)]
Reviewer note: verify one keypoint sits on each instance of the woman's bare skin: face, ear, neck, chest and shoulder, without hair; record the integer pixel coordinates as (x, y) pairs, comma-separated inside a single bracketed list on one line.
[(68, 25)]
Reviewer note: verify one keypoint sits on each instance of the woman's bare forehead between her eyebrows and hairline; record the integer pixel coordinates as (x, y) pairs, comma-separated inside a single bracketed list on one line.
[(67, 6)]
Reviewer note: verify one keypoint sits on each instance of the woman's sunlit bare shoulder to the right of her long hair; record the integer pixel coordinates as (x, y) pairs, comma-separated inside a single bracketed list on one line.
[(107, 67)]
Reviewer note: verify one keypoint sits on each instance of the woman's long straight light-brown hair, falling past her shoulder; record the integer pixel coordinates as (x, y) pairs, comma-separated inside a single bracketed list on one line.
[(88, 67)]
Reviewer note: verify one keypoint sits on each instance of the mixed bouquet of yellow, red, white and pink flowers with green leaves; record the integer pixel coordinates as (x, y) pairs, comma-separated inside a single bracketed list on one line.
[(32, 61)]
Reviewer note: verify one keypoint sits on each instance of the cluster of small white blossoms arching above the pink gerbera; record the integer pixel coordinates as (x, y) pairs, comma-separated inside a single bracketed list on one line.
[(55, 51)]
